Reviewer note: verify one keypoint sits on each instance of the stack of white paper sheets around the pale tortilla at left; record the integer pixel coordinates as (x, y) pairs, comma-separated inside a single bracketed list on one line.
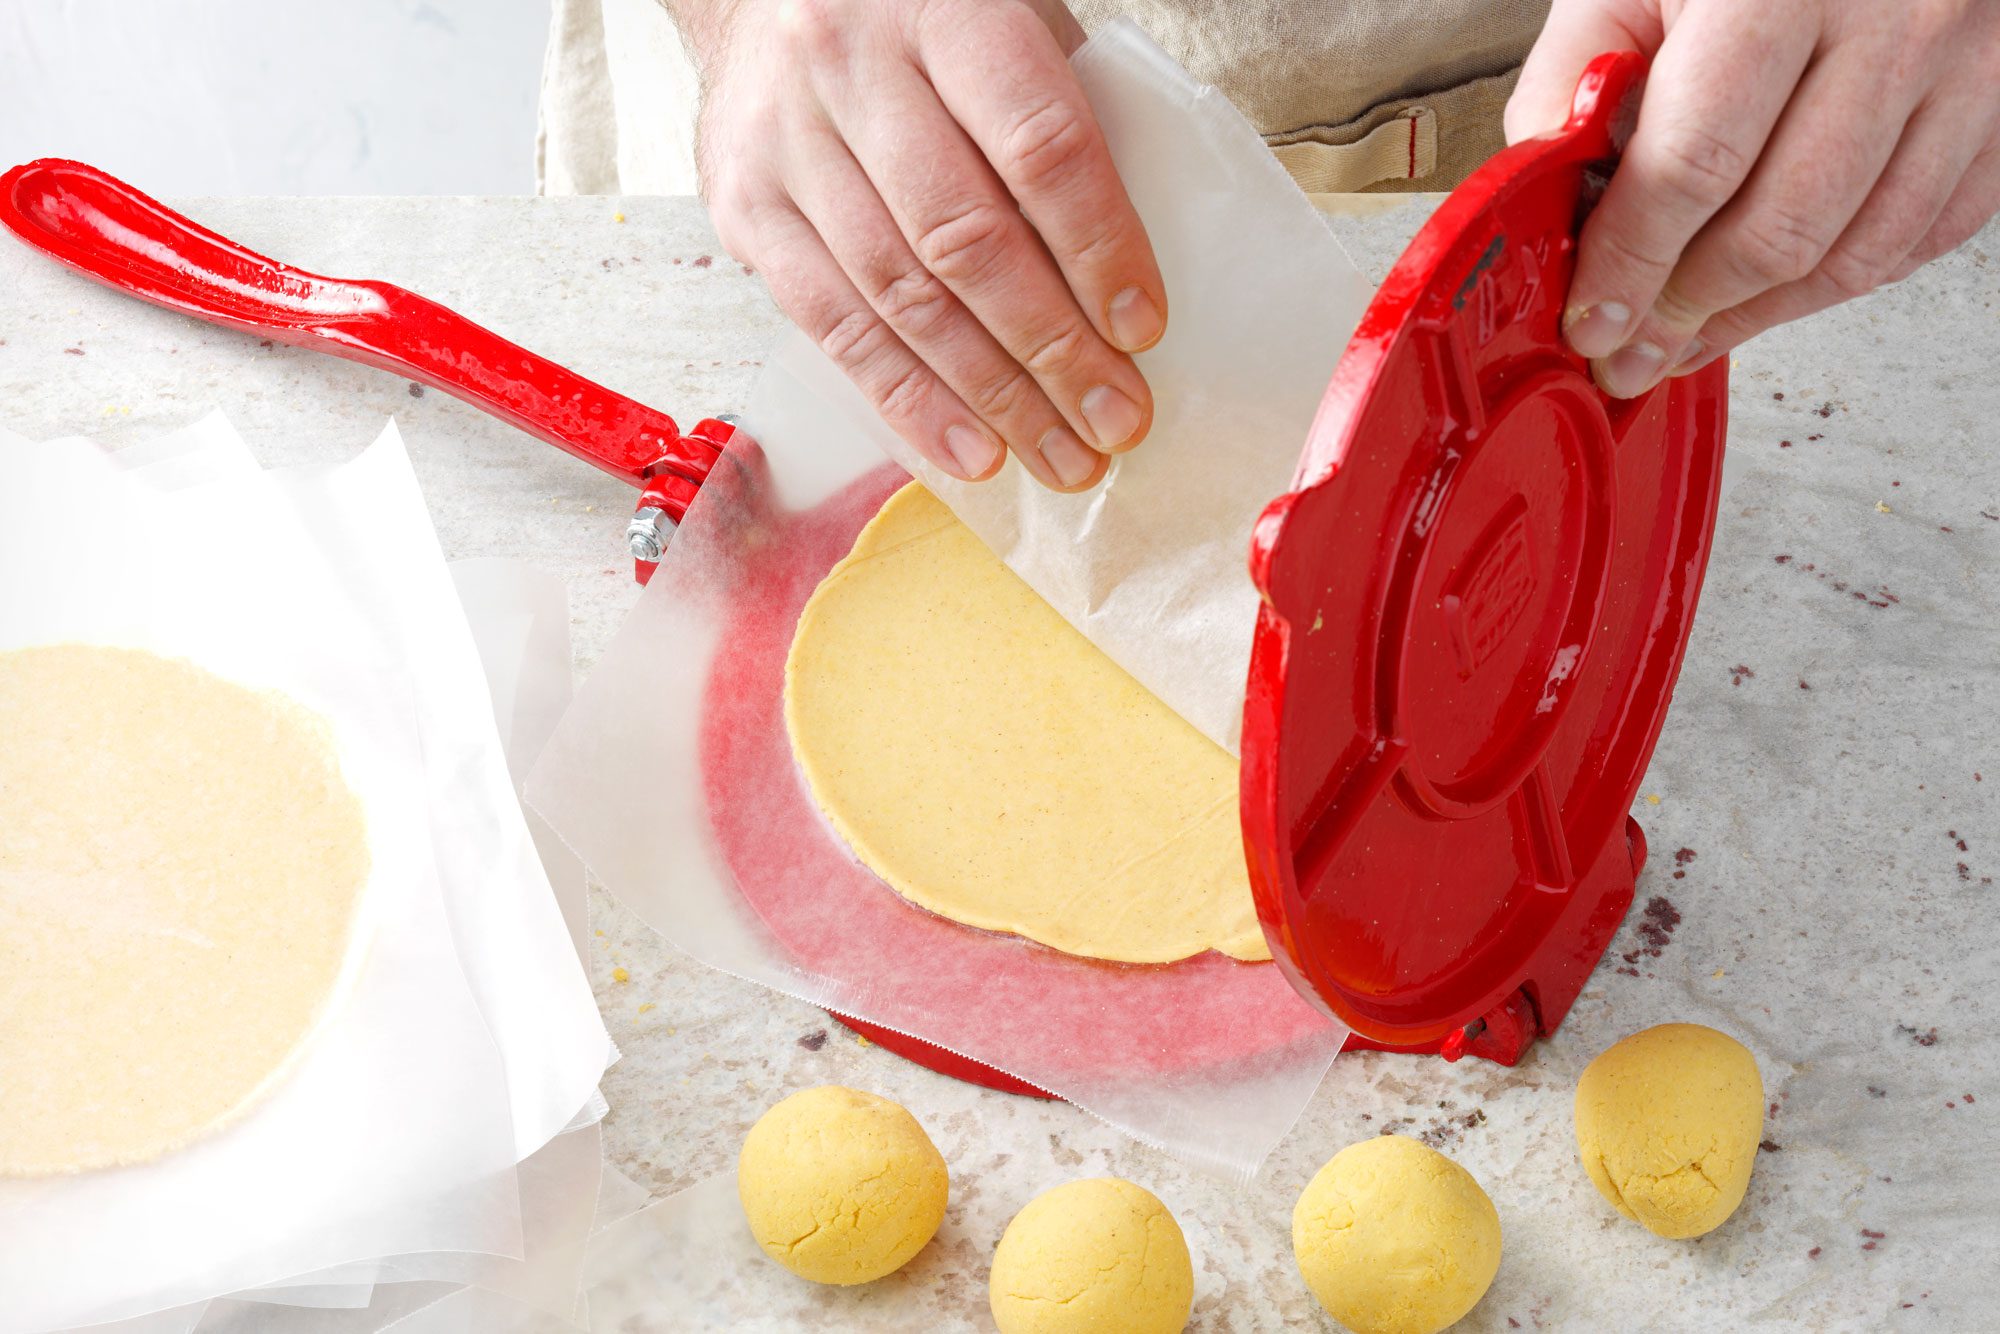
[(399, 1131)]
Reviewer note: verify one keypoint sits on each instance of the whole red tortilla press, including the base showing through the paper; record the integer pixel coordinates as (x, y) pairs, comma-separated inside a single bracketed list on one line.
[(1477, 603)]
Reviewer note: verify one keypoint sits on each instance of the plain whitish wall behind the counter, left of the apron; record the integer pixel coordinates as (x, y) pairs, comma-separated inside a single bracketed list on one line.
[(279, 97)]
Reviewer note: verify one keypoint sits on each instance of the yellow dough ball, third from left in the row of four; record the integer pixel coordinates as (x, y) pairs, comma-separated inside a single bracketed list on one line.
[(1395, 1237)]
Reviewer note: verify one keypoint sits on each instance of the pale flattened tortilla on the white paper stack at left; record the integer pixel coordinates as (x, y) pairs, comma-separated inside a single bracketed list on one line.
[(181, 863)]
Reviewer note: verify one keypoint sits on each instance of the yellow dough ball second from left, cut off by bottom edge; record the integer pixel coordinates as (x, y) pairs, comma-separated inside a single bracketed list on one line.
[(1095, 1257)]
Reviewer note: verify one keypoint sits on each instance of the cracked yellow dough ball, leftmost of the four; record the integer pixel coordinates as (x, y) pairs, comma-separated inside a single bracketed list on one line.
[(841, 1187)]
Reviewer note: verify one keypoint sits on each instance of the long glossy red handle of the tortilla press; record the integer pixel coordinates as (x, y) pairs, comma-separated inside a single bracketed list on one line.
[(109, 231)]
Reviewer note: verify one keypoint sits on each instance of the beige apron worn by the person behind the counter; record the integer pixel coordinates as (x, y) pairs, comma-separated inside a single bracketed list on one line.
[(1351, 95)]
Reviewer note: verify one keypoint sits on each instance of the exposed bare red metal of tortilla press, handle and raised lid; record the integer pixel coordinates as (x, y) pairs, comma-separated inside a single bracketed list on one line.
[(1477, 597)]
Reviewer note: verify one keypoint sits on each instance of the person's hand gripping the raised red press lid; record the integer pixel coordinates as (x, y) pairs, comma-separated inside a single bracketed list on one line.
[(1789, 155)]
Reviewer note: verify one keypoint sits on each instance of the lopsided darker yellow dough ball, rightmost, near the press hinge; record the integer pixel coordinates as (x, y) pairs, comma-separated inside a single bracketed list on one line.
[(1669, 1123)]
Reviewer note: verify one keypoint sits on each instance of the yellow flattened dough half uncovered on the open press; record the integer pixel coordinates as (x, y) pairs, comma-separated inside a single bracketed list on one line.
[(993, 767)]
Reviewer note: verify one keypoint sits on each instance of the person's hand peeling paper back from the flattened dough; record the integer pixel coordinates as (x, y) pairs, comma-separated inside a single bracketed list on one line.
[(931, 199)]
